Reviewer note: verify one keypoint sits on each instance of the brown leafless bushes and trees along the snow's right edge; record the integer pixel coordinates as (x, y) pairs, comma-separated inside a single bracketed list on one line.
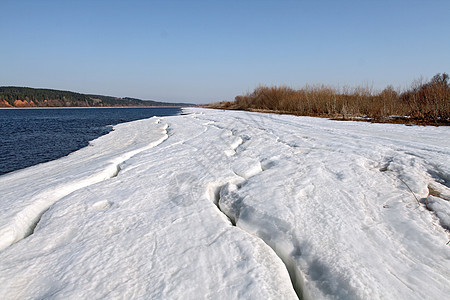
[(424, 102)]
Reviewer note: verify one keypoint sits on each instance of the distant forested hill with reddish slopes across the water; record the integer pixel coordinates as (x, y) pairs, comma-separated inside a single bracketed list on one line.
[(11, 96)]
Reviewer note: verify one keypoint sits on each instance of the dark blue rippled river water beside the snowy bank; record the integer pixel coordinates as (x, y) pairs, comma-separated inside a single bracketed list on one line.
[(32, 136)]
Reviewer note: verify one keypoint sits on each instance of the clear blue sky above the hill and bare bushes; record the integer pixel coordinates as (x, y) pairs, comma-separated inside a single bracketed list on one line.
[(205, 51)]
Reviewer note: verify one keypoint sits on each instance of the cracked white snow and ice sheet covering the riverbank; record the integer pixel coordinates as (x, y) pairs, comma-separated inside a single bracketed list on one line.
[(344, 210)]
